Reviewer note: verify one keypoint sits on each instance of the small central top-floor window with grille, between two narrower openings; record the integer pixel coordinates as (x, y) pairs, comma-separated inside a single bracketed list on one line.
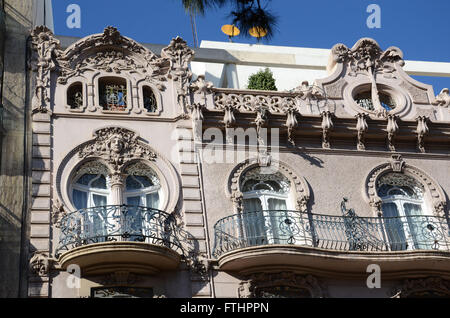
[(113, 93)]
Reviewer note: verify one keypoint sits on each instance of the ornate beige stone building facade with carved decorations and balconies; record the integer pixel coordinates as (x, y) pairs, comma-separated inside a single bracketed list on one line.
[(147, 182)]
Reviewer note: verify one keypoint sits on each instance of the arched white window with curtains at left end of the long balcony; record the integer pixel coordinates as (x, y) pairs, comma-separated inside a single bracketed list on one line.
[(266, 203)]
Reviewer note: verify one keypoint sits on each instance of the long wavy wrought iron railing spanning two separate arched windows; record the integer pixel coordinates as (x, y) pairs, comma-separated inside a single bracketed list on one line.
[(342, 233)]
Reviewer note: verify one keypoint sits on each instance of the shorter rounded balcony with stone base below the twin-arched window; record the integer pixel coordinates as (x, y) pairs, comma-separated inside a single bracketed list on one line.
[(120, 238)]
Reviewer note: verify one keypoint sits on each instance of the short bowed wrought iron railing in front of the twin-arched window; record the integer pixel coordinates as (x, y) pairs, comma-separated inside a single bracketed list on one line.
[(121, 223)]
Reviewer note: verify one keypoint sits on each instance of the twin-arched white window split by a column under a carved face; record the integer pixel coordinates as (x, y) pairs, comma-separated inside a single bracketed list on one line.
[(99, 215)]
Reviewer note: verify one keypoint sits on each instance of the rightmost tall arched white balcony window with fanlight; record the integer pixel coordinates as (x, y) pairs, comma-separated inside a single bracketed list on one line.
[(404, 211)]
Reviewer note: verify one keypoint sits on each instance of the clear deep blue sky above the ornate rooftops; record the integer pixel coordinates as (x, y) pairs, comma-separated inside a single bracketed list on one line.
[(421, 29)]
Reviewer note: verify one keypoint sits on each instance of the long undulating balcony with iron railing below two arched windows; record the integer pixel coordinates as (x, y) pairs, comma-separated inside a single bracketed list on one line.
[(325, 244)]
